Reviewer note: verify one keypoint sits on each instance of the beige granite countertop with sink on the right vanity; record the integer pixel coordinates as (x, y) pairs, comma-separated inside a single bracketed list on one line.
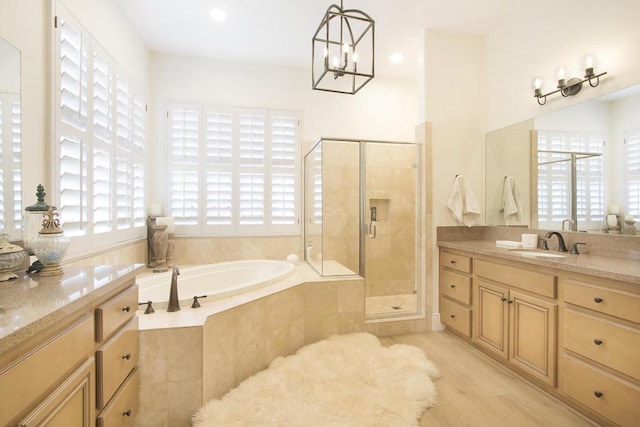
[(622, 269)]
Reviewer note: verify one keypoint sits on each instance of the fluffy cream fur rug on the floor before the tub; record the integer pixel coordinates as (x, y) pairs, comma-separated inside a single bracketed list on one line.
[(346, 380)]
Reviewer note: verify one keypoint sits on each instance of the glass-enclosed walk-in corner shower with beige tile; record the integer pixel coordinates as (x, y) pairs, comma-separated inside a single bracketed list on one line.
[(362, 205)]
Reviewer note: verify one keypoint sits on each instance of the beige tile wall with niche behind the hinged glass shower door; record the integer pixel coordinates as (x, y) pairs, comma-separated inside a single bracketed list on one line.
[(391, 183)]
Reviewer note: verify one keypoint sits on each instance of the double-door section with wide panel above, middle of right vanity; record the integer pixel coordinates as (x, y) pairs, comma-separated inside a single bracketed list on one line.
[(517, 325)]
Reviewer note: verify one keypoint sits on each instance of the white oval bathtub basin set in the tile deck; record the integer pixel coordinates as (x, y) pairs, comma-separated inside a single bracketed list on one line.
[(216, 281)]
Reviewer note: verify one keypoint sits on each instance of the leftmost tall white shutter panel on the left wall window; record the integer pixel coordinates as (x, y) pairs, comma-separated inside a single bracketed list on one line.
[(72, 125)]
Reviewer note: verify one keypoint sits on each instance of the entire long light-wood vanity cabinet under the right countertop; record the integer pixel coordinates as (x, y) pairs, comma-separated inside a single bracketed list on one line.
[(576, 336)]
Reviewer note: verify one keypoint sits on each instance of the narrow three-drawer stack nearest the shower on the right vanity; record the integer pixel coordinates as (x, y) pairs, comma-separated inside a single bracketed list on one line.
[(455, 289)]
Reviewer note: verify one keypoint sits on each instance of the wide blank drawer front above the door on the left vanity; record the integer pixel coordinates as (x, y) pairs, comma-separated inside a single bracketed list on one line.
[(25, 382)]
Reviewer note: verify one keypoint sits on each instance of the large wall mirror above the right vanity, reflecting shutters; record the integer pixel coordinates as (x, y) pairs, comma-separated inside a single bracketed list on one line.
[(573, 168)]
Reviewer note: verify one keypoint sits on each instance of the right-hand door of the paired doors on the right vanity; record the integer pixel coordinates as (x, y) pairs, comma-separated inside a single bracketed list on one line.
[(532, 335)]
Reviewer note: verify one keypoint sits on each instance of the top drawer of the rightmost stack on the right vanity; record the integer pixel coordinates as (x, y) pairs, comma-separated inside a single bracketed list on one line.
[(609, 301)]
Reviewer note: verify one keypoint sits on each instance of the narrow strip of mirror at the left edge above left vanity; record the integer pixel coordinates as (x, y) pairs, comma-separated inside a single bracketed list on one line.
[(10, 141)]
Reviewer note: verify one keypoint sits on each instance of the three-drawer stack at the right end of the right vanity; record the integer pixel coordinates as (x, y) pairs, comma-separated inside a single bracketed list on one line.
[(601, 338)]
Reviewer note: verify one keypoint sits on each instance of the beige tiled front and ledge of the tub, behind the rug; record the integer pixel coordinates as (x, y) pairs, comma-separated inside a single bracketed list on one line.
[(192, 356)]
